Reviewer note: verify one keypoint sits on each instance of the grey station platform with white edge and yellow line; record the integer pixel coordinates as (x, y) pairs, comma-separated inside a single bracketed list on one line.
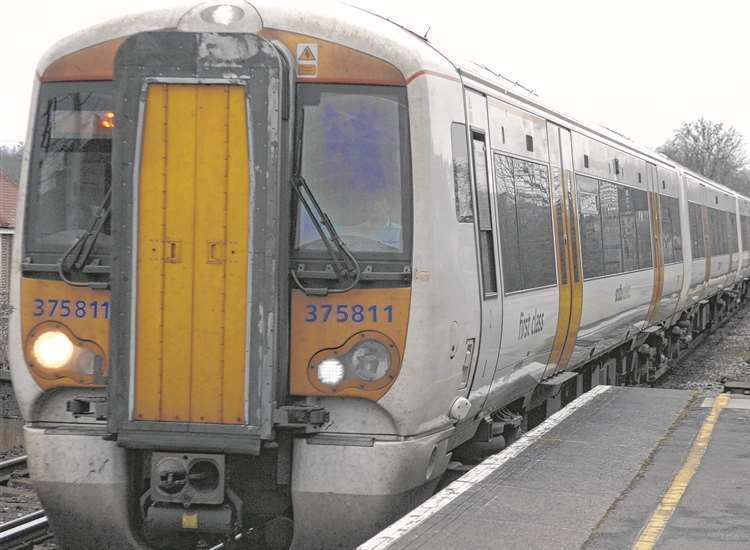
[(617, 468)]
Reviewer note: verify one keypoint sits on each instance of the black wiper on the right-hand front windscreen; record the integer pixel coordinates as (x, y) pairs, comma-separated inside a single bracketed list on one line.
[(344, 263)]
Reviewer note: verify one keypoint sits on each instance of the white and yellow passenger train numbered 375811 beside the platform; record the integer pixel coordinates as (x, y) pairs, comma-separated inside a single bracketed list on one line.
[(279, 262)]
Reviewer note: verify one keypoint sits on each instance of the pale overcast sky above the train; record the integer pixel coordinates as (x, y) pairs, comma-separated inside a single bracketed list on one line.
[(640, 67)]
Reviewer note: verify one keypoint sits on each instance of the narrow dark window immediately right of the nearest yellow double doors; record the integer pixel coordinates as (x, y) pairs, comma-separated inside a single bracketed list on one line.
[(592, 245)]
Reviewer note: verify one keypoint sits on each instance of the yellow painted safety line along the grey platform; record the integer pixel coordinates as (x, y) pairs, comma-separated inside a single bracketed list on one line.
[(653, 530)]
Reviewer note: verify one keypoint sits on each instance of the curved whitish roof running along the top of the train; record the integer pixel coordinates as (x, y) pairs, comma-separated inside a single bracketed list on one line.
[(358, 29)]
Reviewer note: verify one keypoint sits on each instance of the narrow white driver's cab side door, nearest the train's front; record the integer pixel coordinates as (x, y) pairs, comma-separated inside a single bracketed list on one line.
[(486, 238)]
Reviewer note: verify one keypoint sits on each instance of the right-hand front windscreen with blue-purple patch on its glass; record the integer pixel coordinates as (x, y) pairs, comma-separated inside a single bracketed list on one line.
[(355, 158)]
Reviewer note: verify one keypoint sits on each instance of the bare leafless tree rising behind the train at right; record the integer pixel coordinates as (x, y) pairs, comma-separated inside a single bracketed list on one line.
[(713, 150)]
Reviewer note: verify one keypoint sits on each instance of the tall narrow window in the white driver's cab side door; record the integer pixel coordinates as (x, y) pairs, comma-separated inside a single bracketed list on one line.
[(486, 240)]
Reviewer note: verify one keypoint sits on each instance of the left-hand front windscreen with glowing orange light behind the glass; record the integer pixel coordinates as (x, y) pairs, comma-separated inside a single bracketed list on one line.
[(70, 167)]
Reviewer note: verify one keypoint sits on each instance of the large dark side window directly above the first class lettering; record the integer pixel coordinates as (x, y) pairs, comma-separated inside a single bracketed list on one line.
[(527, 243)]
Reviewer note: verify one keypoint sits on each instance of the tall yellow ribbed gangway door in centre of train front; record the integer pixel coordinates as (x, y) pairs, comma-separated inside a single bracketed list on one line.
[(192, 256)]
